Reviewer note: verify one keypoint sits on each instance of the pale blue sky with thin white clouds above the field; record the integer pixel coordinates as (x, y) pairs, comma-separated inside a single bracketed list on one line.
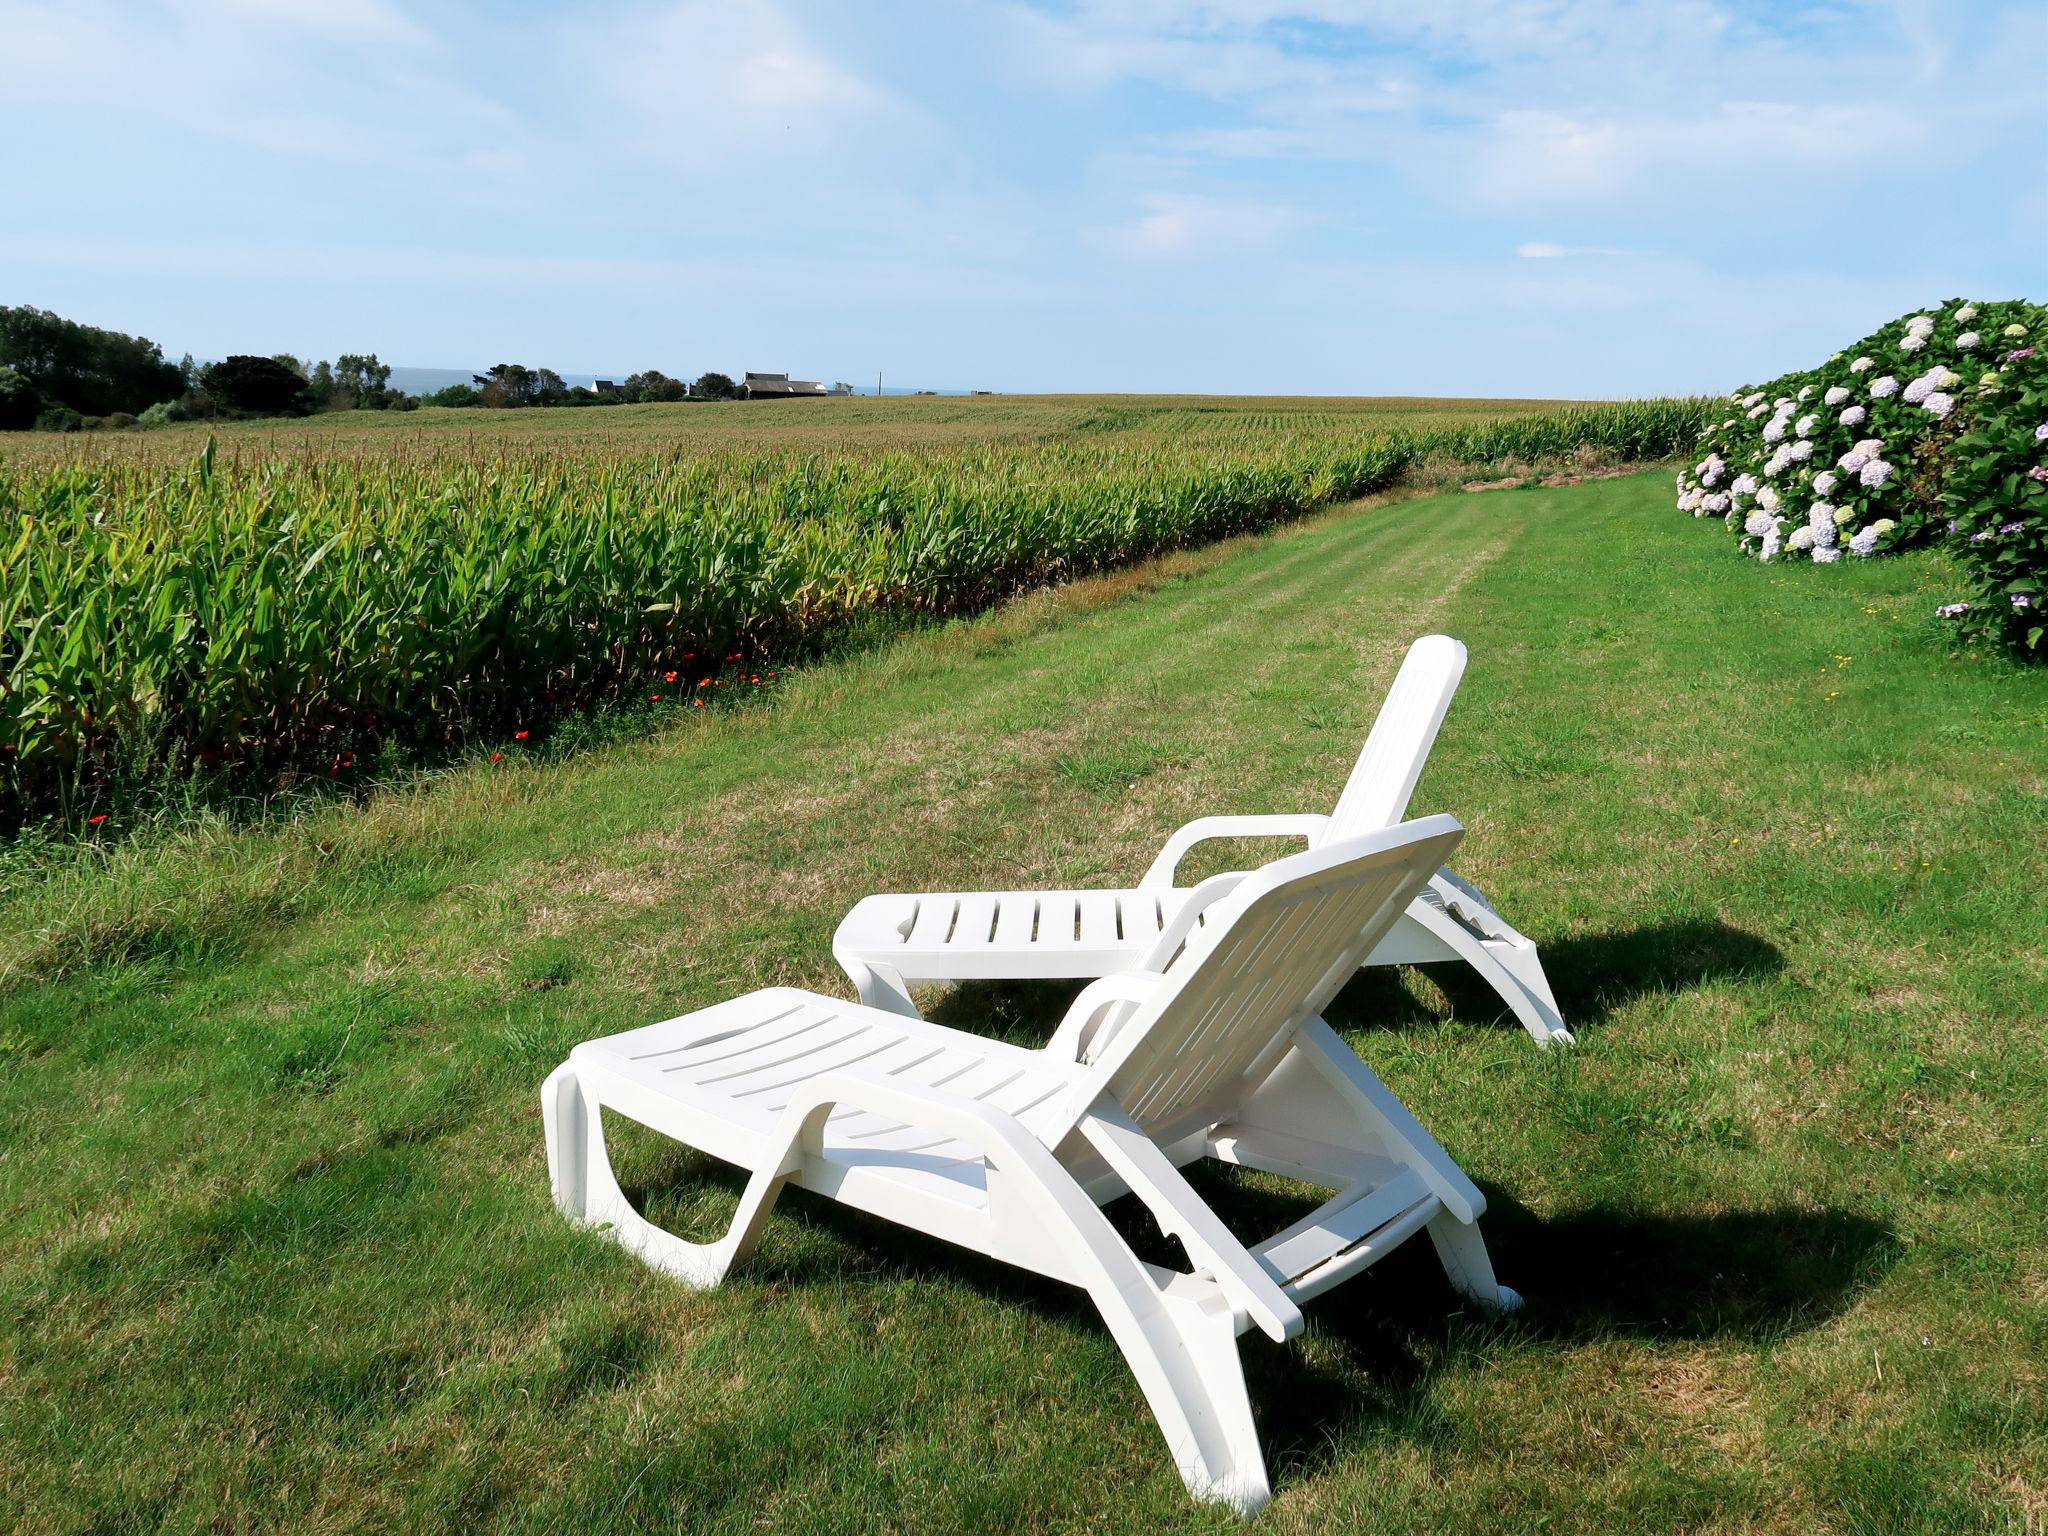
[(1533, 198)]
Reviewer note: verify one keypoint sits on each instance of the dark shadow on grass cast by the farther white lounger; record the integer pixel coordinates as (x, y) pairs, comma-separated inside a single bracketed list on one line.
[(1594, 976)]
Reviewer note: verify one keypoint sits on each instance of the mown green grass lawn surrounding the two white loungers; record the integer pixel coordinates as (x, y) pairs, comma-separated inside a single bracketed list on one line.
[(275, 1240)]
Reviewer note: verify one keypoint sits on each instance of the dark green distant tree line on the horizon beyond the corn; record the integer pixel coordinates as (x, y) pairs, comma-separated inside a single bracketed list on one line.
[(58, 376)]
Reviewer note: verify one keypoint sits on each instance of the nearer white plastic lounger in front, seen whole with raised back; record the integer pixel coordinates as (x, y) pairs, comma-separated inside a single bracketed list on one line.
[(1011, 1152)]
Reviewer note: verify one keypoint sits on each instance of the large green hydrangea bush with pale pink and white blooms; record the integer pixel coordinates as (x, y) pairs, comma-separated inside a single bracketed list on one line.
[(1922, 431)]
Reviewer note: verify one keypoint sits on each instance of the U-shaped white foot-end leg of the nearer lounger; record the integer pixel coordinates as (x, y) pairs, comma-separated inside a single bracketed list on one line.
[(581, 1172)]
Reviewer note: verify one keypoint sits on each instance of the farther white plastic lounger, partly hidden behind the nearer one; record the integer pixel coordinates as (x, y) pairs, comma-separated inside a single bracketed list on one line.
[(892, 941)]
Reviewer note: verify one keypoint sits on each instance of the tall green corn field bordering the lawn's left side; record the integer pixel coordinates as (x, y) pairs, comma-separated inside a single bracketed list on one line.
[(280, 613)]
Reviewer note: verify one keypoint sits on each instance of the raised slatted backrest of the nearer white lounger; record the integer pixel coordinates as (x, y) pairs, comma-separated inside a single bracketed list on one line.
[(1277, 951)]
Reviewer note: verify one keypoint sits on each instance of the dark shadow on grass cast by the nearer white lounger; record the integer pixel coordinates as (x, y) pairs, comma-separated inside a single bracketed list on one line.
[(1377, 1345)]
